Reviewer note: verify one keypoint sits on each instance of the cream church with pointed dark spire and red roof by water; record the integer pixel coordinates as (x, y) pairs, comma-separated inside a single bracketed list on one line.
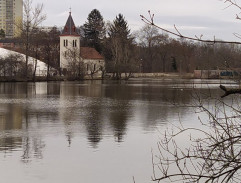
[(71, 51)]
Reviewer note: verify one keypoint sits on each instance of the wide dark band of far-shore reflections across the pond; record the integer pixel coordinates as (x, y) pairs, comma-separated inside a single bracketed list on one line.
[(95, 110)]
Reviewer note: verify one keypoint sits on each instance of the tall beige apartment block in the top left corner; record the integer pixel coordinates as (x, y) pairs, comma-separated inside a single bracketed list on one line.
[(11, 13)]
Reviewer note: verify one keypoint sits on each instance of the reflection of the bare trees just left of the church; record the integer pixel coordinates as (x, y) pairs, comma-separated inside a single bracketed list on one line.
[(32, 117)]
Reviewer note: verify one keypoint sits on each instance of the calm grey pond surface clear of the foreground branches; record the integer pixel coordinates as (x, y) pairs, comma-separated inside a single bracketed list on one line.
[(90, 131)]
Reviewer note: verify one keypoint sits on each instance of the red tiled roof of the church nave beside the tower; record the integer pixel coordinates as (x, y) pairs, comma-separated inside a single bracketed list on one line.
[(90, 53)]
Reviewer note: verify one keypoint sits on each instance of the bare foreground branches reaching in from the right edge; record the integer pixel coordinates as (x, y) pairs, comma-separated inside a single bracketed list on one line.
[(215, 154)]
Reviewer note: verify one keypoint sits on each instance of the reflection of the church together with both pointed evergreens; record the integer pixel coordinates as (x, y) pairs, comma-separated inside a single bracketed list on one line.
[(93, 112)]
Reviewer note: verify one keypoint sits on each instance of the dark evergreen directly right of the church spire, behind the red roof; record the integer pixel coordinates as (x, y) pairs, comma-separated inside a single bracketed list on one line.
[(94, 30)]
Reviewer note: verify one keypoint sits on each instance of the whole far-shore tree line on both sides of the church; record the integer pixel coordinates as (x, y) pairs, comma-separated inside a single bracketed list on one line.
[(147, 50)]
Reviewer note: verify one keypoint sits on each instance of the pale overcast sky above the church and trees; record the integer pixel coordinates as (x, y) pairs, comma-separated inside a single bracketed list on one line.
[(191, 17)]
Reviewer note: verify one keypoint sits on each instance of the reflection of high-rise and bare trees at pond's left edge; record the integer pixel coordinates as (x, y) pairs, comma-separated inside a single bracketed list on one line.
[(25, 116)]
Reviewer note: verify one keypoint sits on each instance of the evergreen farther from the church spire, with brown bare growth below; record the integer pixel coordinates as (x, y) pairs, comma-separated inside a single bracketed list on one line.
[(120, 51)]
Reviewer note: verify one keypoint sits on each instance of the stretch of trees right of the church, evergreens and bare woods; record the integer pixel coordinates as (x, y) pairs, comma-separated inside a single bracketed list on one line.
[(149, 50)]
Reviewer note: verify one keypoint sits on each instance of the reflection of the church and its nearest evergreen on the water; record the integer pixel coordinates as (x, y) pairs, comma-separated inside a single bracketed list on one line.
[(91, 114)]
